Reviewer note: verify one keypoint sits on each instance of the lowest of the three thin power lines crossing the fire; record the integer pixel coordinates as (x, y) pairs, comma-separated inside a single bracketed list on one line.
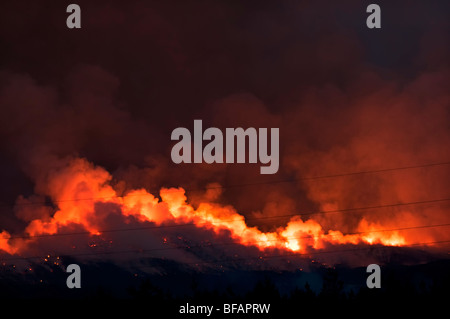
[(226, 243)]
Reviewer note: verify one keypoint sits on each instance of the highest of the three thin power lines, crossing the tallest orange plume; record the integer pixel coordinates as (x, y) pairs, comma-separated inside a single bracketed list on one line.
[(243, 184)]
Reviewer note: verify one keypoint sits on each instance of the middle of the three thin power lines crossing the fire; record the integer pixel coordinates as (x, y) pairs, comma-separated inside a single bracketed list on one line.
[(344, 210)]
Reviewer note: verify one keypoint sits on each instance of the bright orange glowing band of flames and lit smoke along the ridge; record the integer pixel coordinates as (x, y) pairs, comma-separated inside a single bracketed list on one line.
[(86, 198)]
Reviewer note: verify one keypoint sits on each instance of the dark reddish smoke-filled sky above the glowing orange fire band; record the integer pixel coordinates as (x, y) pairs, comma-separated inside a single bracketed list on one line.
[(345, 98)]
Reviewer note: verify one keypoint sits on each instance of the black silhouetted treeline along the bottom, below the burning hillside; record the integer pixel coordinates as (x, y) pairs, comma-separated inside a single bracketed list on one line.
[(108, 286)]
